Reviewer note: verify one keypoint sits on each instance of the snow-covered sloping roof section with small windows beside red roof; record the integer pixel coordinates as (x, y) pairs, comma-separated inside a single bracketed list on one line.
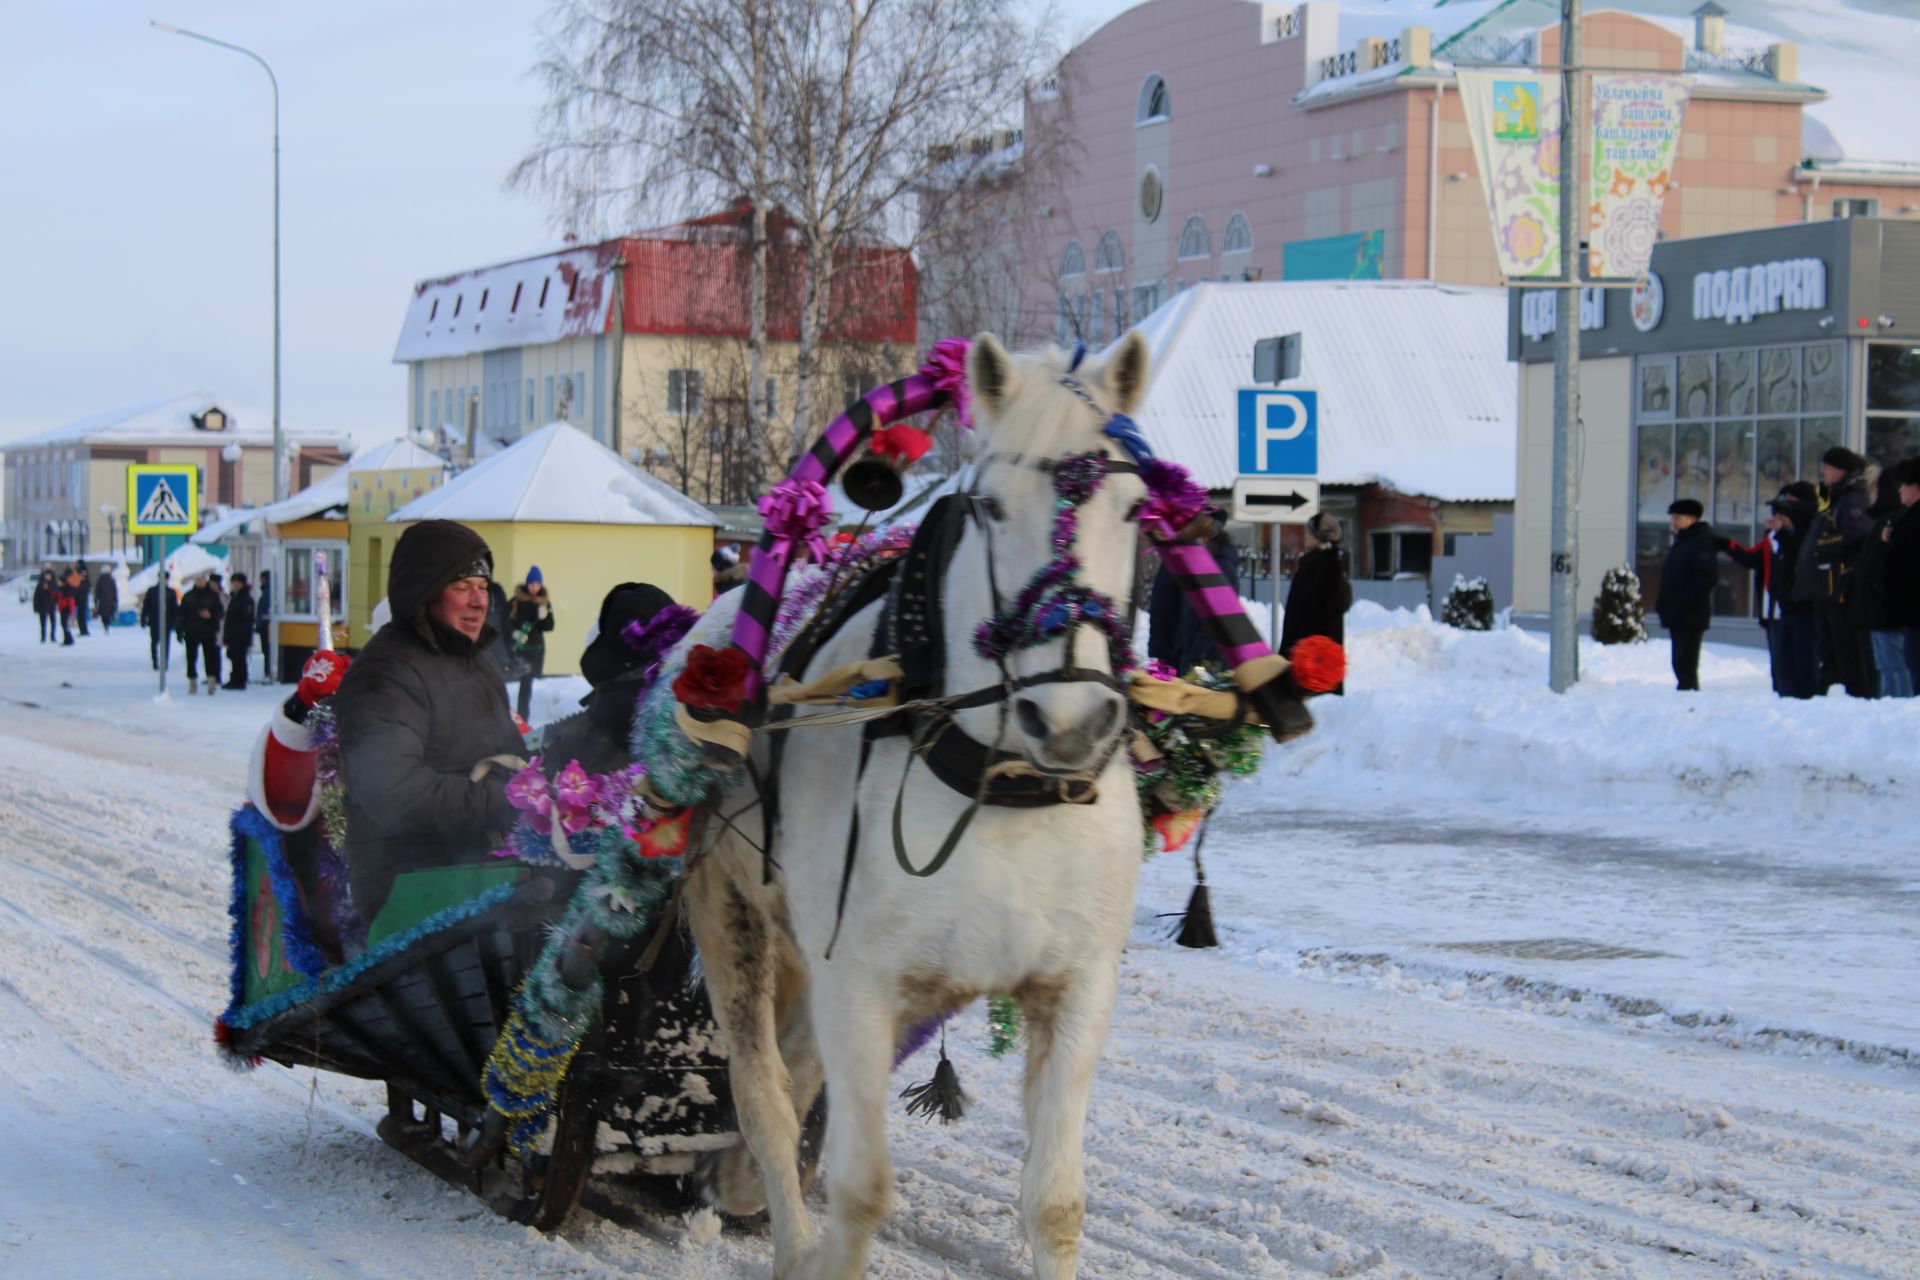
[(517, 304)]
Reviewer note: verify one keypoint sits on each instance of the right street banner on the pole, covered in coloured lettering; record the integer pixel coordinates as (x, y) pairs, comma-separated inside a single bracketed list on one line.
[(1637, 126)]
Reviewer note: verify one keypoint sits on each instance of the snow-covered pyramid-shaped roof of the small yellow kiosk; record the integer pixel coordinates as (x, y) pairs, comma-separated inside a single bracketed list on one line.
[(564, 477)]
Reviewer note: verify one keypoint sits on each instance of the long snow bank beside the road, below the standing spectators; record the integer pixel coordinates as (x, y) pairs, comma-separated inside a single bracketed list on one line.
[(1443, 719)]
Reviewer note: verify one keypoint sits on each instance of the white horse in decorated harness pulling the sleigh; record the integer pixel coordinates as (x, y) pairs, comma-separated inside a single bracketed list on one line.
[(1034, 903)]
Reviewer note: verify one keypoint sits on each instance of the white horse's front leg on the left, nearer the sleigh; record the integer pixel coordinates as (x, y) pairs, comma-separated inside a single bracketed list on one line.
[(855, 1030)]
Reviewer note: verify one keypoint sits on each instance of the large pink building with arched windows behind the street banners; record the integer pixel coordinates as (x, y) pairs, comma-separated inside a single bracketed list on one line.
[(1230, 141)]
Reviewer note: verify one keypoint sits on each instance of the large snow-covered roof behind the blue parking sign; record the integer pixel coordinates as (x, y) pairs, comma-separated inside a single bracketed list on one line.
[(1414, 381)]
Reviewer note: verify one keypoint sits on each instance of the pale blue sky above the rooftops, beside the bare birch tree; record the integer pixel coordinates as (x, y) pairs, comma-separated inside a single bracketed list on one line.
[(139, 212)]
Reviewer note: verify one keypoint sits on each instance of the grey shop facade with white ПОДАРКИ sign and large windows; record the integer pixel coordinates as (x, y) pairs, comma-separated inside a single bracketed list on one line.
[(1727, 377)]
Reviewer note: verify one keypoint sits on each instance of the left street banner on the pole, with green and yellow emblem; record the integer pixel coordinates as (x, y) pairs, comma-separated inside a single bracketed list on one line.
[(1514, 122)]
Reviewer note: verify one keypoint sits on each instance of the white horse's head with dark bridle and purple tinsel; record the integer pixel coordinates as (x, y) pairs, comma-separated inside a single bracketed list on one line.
[(1040, 594)]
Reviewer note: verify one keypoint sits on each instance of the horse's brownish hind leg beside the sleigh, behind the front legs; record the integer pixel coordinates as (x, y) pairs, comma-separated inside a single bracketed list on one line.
[(738, 949)]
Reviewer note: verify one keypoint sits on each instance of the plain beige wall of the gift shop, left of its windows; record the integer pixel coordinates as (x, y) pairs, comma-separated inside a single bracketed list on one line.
[(1604, 460)]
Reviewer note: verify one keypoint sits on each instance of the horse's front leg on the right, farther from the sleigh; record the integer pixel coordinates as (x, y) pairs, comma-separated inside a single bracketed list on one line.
[(1067, 1026)]
